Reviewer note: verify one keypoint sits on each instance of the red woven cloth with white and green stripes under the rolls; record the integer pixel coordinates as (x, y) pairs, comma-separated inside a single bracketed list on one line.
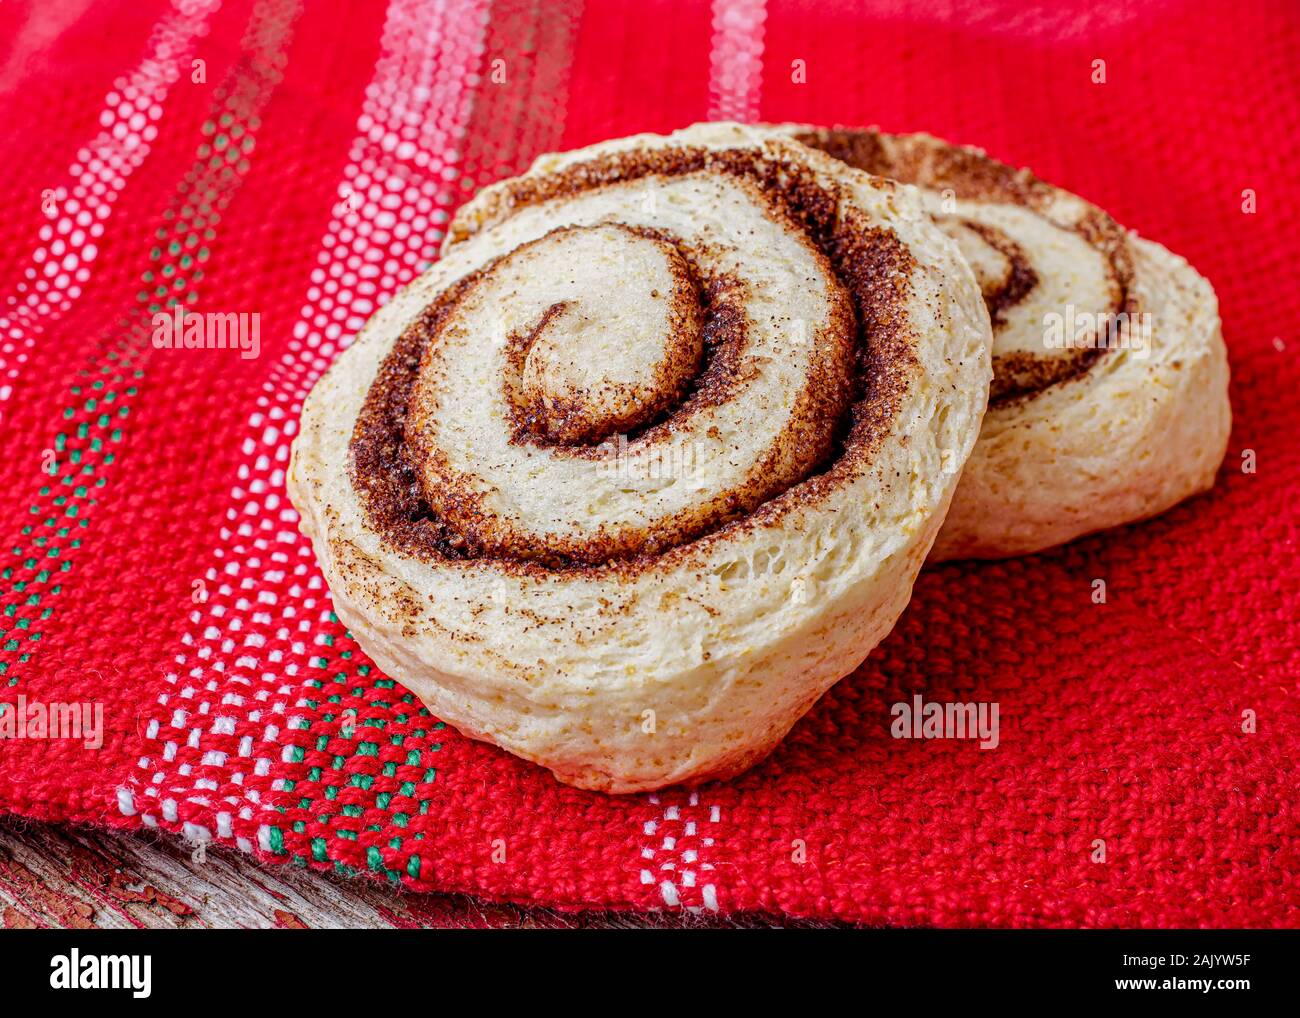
[(305, 171)]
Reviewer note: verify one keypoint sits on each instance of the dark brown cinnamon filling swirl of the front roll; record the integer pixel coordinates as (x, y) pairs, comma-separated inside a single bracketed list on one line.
[(851, 414)]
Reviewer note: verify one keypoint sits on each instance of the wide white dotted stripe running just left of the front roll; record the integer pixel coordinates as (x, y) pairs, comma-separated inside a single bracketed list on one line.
[(392, 207)]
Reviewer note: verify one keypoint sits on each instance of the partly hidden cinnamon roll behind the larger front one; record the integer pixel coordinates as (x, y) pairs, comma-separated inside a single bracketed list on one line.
[(1110, 400)]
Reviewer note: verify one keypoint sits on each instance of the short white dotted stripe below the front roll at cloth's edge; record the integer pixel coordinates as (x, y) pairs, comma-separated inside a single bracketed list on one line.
[(675, 856)]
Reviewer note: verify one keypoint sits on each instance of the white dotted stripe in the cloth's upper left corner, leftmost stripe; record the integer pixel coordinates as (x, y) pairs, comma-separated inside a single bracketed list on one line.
[(84, 202)]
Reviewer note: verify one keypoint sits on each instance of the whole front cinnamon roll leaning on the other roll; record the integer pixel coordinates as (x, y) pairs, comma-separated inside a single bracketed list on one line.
[(652, 457)]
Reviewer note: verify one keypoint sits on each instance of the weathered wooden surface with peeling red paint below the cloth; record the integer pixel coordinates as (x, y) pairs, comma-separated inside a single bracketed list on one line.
[(72, 878)]
